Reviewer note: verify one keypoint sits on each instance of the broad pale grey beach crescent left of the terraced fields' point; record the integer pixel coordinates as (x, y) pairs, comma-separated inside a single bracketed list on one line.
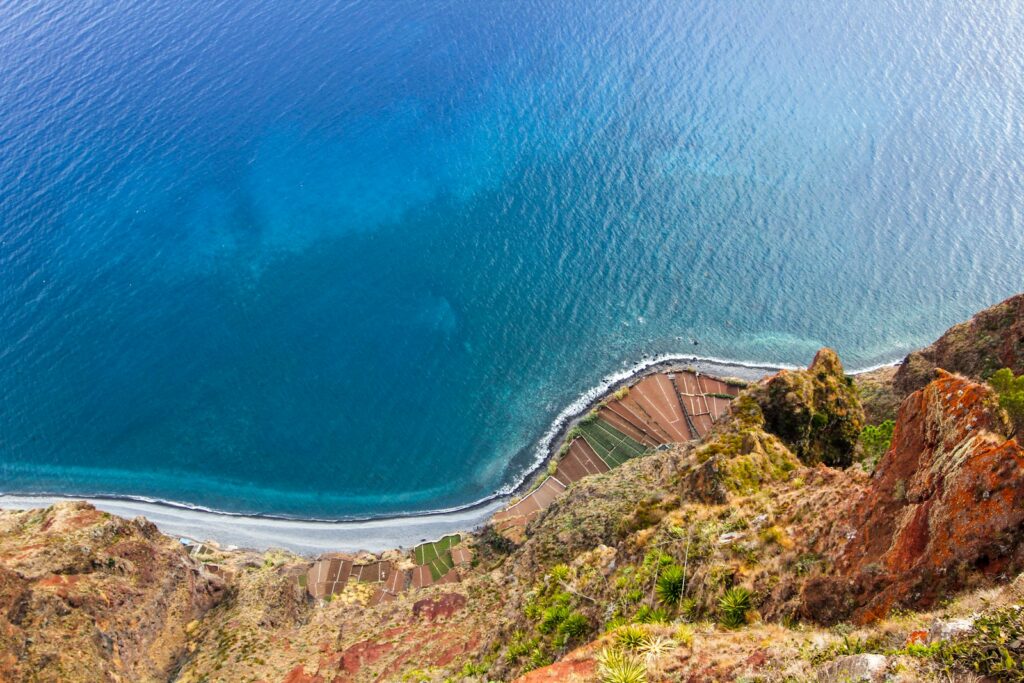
[(303, 537)]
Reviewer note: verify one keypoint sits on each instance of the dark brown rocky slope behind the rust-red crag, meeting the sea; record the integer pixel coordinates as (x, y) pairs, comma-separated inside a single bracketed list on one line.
[(991, 340)]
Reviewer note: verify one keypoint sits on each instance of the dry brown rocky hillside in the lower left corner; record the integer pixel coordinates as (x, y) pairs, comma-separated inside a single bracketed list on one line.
[(87, 596)]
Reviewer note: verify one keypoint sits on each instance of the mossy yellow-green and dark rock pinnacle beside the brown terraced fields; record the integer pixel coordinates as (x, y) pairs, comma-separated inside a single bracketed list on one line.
[(816, 412)]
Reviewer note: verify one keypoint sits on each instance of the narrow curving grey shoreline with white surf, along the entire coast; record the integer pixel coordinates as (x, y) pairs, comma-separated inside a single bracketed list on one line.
[(376, 534)]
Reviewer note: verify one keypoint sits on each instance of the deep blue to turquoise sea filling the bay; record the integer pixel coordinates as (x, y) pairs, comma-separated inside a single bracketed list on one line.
[(347, 259)]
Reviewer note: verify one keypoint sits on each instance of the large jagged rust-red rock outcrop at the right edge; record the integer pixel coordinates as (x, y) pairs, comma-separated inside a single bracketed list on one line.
[(945, 509)]
